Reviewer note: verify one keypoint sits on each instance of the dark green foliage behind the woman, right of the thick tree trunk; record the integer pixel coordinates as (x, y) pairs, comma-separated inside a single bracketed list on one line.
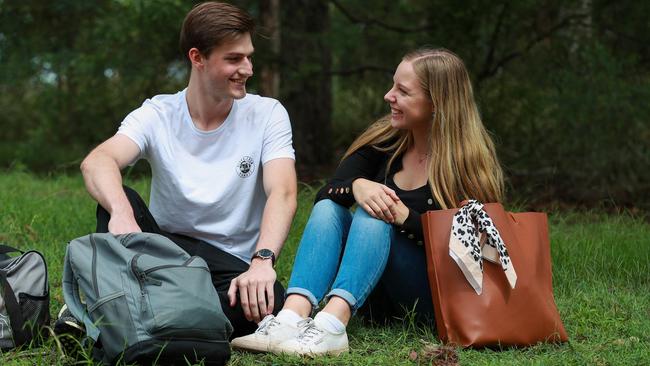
[(560, 85)]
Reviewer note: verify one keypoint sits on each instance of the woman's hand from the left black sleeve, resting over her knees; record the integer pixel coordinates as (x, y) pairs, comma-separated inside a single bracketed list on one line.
[(376, 199)]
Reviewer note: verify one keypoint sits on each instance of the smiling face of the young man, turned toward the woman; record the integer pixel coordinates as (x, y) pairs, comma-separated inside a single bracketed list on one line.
[(227, 68)]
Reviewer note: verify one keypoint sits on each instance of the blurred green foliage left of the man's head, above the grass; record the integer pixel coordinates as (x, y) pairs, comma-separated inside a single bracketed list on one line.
[(73, 70)]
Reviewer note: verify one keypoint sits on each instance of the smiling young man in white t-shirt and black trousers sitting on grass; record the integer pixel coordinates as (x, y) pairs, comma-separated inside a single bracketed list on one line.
[(223, 177)]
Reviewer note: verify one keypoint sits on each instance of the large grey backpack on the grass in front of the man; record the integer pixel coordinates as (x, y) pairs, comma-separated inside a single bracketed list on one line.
[(146, 300)]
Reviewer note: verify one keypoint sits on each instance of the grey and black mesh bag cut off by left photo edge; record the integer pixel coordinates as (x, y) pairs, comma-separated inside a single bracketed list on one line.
[(24, 299)]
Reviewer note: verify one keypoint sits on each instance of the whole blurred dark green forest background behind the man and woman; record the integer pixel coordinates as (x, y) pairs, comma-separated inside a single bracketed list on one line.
[(562, 85)]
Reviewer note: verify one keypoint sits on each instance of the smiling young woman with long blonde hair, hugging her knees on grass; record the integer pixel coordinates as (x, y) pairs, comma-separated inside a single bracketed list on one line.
[(430, 153)]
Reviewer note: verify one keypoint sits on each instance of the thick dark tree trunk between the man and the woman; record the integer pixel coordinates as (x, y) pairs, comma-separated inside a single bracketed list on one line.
[(306, 80)]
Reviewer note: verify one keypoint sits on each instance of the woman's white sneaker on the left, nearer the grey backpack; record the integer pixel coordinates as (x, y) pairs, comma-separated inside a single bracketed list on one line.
[(269, 332)]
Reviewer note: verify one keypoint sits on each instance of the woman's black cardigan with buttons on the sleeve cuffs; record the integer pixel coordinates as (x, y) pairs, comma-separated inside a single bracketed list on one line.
[(371, 164)]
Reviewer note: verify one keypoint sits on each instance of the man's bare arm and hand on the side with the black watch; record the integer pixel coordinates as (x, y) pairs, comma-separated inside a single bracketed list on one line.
[(256, 284)]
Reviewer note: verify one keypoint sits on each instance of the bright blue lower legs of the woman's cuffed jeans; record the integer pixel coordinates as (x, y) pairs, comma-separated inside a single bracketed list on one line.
[(341, 252)]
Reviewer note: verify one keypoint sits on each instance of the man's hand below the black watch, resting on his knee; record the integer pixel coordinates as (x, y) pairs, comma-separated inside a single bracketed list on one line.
[(255, 287)]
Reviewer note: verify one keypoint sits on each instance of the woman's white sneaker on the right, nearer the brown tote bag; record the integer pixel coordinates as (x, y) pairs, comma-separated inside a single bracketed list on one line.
[(314, 340)]
